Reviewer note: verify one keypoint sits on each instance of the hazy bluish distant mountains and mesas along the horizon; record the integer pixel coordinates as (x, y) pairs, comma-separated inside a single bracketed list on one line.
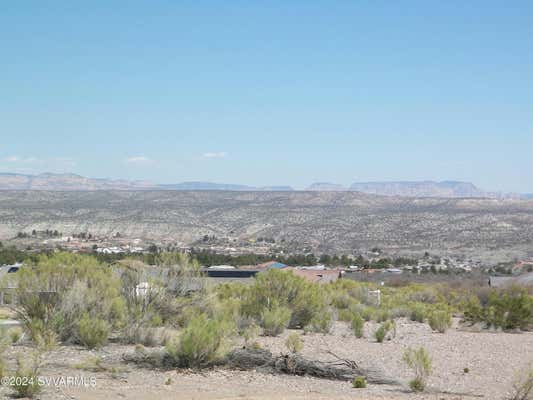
[(73, 182)]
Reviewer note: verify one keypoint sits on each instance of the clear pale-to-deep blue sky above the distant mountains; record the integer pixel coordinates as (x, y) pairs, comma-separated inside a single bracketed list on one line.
[(271, 92)]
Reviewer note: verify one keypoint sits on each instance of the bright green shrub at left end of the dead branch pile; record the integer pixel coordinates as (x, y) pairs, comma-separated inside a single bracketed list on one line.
[(200, 344)]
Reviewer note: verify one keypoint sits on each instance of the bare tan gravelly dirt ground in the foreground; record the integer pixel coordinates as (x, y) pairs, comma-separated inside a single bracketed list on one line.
[(493, 360)]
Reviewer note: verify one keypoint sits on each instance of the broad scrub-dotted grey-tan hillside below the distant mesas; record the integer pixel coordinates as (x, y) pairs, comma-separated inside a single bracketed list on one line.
[(322, 221)]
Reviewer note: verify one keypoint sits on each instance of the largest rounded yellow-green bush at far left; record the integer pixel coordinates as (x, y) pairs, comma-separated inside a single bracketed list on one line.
[(59, 290)]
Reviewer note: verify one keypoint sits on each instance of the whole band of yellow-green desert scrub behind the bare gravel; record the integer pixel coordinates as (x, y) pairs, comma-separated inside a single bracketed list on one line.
[(70, 298)]
